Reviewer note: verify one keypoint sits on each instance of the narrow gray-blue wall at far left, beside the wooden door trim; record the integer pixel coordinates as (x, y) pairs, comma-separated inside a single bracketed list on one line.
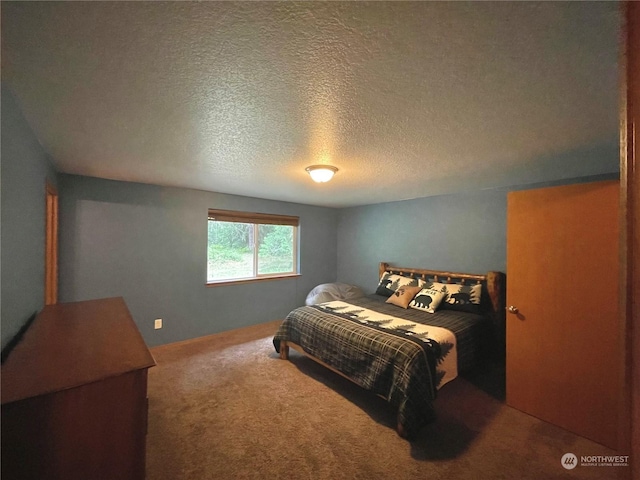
[(23, 176)]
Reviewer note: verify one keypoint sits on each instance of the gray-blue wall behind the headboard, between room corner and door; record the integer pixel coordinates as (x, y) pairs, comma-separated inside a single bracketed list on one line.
[(462, 232)]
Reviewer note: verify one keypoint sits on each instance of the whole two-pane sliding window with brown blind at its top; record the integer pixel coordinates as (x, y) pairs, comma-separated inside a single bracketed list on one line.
[(244, 246)]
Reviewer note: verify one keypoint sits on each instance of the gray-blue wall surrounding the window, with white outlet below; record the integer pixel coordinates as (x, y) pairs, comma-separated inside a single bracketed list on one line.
[(148, 244)]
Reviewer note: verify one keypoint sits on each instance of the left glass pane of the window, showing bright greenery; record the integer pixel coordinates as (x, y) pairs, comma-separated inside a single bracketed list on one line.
[(230, 252)]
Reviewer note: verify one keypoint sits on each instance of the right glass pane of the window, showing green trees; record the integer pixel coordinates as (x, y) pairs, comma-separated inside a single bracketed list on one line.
[(275, 254)]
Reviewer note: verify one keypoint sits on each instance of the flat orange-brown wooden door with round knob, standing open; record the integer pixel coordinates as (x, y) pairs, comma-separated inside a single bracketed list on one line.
[(562, 277)]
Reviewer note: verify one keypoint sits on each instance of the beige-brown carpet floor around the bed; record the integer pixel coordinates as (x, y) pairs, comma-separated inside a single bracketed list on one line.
[(226, 407)]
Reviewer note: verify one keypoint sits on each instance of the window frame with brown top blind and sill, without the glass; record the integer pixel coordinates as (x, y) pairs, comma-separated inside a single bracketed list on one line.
[(256, 219)]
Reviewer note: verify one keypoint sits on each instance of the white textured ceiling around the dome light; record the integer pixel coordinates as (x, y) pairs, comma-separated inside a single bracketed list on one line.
[(407, 99)]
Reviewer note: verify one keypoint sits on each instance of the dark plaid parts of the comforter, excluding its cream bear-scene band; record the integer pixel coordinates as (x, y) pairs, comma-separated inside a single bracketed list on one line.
[(397, 367)]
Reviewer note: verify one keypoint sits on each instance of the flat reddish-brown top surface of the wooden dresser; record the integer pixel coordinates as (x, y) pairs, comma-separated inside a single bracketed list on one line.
[(72, 344)]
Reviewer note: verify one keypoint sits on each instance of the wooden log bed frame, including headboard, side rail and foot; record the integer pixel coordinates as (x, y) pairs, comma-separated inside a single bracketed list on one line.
[(493, 306)]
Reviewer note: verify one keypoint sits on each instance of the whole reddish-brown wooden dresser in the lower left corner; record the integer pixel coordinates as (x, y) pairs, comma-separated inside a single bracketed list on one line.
[(74, 395)]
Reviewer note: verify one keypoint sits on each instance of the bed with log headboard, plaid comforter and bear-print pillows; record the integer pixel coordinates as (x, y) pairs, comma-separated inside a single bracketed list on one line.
[(404, 351)]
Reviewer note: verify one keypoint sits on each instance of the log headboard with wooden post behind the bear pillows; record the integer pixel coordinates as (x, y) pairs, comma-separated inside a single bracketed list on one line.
[(494, 287)]
